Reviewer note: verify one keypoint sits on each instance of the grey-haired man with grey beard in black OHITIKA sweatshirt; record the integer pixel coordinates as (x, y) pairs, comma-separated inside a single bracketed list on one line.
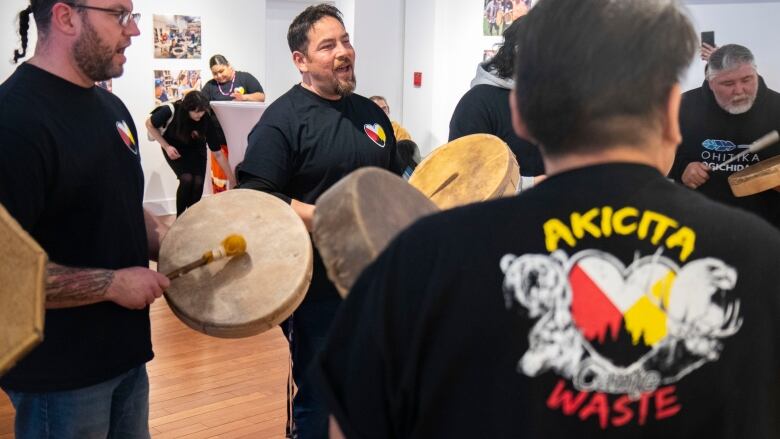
[(733, 108)]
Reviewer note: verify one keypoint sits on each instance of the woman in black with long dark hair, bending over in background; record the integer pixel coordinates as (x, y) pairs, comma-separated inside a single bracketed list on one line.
[(183, 129)]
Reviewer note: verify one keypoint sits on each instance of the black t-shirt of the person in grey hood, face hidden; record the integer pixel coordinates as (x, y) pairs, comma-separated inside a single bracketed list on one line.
[(485, 109)]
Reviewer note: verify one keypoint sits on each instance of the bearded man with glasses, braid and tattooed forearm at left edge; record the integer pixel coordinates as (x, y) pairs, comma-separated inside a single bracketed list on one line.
[(71, 176)]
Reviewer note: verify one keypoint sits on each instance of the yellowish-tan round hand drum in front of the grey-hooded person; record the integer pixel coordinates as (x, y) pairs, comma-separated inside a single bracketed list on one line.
[(470, 169)]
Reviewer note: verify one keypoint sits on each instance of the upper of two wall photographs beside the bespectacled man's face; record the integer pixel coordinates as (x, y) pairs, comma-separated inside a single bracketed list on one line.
[(177, 37)]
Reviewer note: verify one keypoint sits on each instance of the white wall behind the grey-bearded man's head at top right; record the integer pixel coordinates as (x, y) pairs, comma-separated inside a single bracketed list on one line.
[(753, 25)]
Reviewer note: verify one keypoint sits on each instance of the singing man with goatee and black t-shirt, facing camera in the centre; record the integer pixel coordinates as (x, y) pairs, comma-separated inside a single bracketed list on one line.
[(306, 141)]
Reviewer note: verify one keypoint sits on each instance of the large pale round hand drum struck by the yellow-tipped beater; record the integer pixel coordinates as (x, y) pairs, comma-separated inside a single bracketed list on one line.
[(247, 294)]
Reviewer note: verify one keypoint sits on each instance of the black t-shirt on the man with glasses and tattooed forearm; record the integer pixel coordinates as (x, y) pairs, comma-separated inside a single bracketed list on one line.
[(71, 175)]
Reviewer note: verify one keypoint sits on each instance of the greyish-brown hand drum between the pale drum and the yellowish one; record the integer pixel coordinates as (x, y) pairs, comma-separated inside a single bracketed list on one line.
[(358, 216)]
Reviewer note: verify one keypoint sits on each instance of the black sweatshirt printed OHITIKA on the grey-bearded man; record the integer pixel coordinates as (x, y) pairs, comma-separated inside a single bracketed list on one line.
[(712, 136)]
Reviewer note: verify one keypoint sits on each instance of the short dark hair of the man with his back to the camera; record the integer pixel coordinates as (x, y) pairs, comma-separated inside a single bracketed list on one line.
[(592, 74)]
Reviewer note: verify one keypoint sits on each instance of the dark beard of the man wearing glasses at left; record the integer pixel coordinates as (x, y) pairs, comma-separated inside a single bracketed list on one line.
[(93, 57)]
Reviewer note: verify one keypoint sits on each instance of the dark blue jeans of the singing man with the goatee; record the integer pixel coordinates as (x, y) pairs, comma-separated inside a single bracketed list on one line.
[(309, 324)]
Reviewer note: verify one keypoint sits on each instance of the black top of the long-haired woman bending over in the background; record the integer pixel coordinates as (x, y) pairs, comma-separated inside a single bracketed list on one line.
[(206, 133)]
